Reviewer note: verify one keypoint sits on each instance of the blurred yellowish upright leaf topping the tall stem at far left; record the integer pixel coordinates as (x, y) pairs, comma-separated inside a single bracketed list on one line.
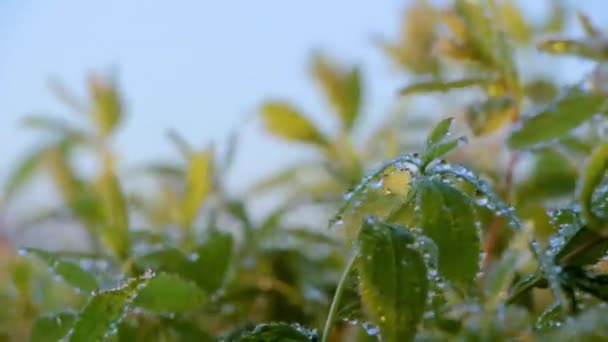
[(107, 104)]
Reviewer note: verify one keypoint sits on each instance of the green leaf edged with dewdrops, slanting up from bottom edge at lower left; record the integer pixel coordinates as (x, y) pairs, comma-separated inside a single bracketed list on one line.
[(105, 311)]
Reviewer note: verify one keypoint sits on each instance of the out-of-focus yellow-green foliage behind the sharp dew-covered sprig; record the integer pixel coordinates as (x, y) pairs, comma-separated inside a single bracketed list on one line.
[(222, 267)]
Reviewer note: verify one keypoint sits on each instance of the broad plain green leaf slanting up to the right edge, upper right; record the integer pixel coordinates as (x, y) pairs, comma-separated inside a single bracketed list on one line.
[(562, 116)]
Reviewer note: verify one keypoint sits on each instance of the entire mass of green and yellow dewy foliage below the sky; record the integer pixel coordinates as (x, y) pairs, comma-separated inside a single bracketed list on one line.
[(438, 246)]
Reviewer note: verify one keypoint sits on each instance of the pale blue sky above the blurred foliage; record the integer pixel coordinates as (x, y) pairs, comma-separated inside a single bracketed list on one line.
[(197, 66)]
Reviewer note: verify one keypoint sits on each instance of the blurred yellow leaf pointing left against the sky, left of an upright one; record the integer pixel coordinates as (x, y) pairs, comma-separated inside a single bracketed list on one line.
[(285, 121)]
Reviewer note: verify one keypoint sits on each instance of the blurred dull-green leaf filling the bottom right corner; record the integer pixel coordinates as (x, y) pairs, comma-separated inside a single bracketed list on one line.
[(591, 325)]
